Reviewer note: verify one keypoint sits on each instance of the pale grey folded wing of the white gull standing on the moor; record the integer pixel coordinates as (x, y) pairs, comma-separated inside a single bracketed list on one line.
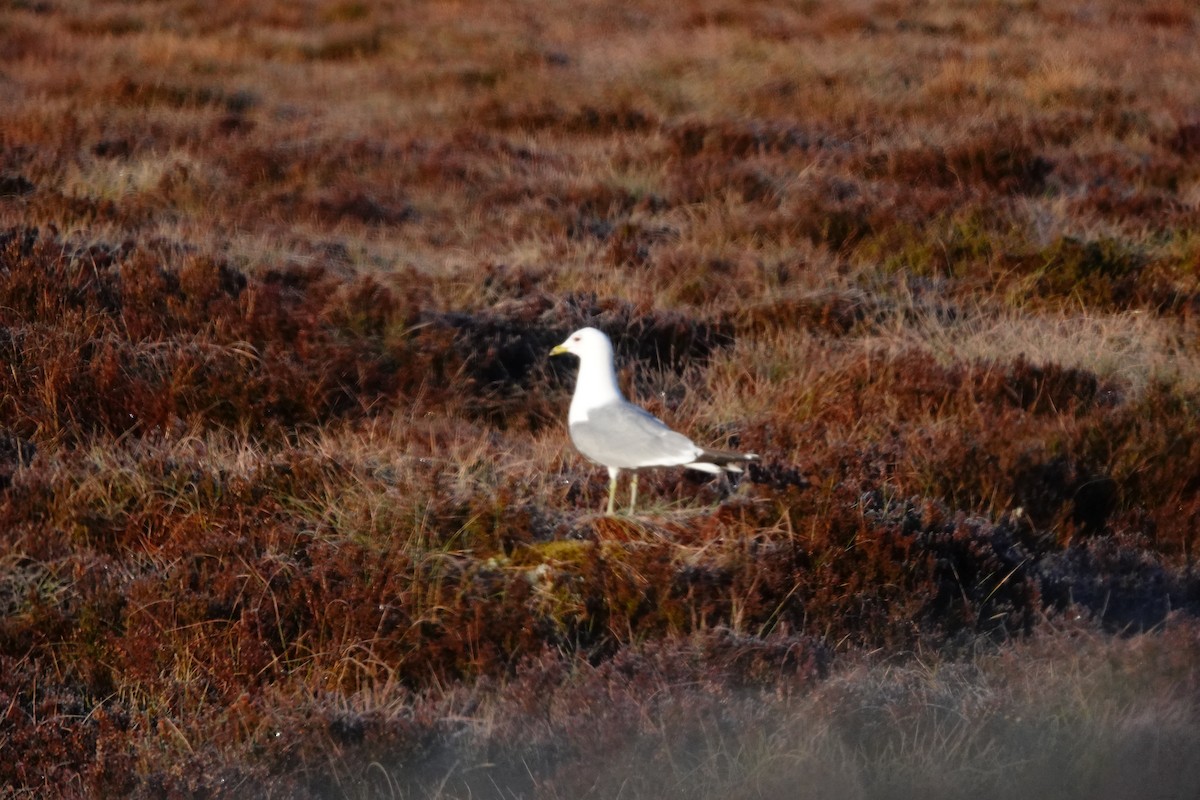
[(626, 437)]
